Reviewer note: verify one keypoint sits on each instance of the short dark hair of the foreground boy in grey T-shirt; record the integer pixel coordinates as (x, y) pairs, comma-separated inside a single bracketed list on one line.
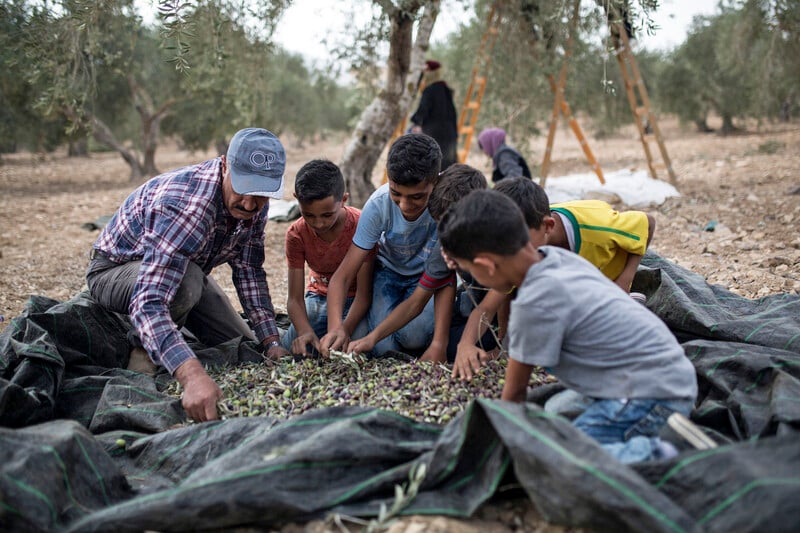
[(483, 221)]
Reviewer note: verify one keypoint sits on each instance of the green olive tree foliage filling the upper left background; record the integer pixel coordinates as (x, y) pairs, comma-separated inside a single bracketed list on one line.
[(211, 68)]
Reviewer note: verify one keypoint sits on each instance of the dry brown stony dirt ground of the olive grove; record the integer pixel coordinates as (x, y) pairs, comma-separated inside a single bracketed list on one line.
[(748, 183)]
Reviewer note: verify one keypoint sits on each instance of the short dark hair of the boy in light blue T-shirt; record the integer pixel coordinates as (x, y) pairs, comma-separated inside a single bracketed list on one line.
[(414, 158)]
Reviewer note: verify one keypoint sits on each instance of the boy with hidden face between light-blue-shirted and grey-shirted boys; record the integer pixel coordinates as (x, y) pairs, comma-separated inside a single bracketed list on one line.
[(438, 280)]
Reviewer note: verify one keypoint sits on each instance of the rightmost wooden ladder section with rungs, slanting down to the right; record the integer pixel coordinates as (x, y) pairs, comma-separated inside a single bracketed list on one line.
[(639, 101)]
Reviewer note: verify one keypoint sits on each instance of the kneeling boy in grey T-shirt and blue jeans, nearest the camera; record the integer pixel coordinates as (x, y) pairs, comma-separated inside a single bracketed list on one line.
[(568, 317)]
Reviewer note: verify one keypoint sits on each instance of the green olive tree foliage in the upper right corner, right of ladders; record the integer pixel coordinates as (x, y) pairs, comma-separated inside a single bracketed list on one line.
[(741, 63)]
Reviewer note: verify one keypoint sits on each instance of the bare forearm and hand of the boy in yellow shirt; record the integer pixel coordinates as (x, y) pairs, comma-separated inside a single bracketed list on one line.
[(470, 358)]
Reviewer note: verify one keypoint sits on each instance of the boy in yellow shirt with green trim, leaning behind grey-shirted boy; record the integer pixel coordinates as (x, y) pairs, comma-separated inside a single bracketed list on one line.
[(615, 243)]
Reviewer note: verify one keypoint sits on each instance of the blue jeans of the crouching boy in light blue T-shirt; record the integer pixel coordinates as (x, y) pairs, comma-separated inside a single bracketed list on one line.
[(389, 289)]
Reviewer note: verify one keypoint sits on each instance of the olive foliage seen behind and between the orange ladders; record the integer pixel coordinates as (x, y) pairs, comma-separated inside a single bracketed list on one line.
[(530, 51)]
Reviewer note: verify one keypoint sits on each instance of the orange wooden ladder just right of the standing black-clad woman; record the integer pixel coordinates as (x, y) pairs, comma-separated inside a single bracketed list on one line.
[(477, 85)]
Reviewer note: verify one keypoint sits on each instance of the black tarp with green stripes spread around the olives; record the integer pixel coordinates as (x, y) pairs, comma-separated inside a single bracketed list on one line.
[(88, 446)]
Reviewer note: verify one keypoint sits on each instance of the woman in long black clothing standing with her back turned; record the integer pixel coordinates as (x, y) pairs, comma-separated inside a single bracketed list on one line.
[(436, 114)]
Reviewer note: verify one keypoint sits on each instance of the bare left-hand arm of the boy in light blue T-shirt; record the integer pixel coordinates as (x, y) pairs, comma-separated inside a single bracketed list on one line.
[(337, 336)]
